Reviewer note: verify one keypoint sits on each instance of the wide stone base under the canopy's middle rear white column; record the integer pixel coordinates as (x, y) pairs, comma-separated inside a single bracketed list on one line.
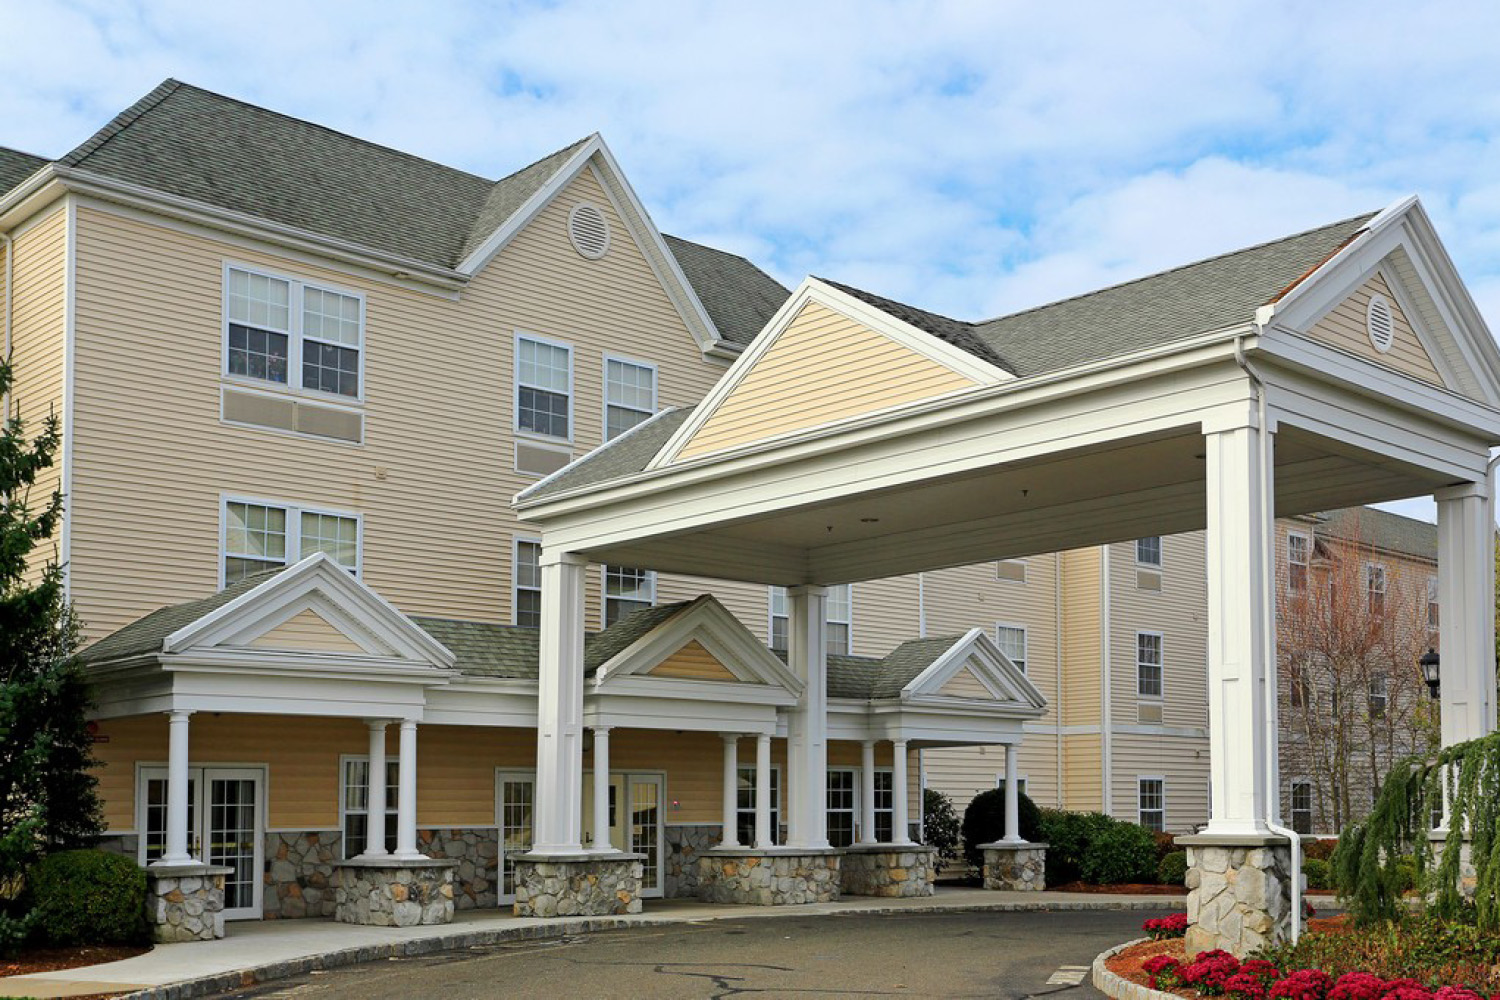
[(773, 876)]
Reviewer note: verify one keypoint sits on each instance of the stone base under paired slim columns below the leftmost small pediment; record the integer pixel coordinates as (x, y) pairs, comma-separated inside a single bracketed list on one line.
[(394, 893)]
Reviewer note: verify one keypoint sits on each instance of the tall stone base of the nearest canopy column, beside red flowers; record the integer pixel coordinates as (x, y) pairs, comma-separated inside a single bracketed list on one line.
[(1240, 893)]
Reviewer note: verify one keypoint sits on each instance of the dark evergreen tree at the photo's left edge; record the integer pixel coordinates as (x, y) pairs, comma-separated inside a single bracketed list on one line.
[(47, 792)]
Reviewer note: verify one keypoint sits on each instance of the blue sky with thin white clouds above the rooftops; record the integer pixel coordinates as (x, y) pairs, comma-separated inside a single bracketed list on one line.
[(970, 158)]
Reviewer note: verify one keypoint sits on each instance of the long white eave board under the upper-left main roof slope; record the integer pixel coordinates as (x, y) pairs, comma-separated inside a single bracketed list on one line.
[(245, 224)]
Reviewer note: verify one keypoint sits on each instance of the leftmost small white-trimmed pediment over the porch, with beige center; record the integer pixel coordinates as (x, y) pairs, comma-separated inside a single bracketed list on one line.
[(317, 609)]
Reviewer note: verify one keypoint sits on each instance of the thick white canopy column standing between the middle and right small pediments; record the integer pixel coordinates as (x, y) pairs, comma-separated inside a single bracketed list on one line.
[(808, 722)]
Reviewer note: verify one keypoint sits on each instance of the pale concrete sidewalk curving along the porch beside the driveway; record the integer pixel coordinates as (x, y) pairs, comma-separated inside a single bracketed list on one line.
[(259, 951)]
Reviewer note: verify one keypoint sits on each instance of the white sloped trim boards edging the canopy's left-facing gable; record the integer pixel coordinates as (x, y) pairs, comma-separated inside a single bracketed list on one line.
[(817, 292)]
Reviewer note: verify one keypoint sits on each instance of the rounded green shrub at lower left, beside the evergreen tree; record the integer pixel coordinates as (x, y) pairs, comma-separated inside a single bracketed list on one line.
[(88, 897)]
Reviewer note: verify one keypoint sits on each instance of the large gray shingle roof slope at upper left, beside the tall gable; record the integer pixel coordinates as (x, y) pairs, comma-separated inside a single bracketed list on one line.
[(187, 142)]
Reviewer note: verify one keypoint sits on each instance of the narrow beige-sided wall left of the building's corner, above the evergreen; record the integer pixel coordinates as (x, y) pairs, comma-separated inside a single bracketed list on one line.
[(38, 343)]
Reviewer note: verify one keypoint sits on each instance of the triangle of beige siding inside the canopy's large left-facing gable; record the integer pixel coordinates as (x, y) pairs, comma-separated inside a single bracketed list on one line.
[(823, 368)]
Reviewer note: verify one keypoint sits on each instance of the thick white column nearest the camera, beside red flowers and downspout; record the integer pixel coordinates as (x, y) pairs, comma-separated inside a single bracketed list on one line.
[(1238, 608)]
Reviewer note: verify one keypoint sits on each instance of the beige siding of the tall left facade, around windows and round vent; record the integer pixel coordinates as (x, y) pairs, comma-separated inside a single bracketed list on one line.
[(436, 503)]
